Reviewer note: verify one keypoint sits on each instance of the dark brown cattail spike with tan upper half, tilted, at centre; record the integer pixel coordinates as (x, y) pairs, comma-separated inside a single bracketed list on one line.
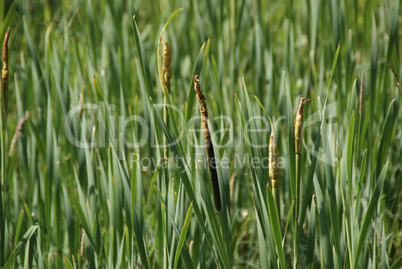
[(208, 143)]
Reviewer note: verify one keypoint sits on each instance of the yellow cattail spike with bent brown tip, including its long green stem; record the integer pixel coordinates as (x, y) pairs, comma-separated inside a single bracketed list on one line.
[(298, 122)]
